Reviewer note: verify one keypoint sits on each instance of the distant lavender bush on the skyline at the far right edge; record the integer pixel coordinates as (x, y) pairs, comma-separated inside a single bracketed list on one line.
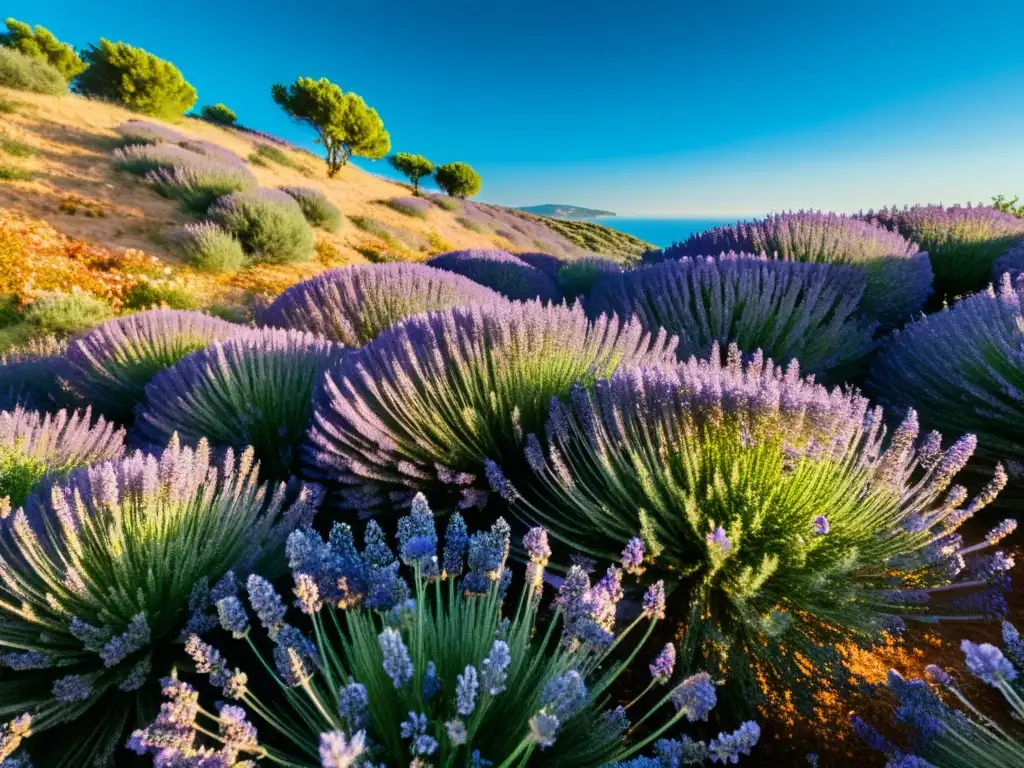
[(962, 242)]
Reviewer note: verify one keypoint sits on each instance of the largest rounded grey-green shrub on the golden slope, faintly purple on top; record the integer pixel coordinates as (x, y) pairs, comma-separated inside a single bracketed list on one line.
[(269, 224)]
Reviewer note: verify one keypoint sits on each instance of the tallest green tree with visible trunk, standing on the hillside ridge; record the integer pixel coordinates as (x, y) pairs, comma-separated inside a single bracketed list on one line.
[(344, 122)]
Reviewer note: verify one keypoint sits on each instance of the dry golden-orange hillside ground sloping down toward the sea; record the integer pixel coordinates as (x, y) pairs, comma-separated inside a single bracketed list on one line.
[(61, 197)]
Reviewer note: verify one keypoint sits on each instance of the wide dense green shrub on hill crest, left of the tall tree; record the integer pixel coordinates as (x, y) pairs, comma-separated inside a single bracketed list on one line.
[(136, 78)]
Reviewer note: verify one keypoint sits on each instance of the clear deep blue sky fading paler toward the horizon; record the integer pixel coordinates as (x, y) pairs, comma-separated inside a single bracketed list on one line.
[(646, 107)]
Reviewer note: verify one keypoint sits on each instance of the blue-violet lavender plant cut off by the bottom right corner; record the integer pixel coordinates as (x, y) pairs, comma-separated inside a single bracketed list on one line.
[(948, 738)]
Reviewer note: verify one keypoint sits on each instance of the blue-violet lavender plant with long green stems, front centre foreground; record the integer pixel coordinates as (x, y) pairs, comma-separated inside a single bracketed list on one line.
[(439, 679)]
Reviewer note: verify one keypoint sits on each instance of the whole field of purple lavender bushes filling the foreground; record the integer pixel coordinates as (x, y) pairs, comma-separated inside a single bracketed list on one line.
[(526, 509)]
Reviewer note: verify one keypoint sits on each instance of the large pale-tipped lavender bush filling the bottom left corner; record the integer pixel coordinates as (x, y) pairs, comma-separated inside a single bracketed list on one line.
[(120, 561)]
